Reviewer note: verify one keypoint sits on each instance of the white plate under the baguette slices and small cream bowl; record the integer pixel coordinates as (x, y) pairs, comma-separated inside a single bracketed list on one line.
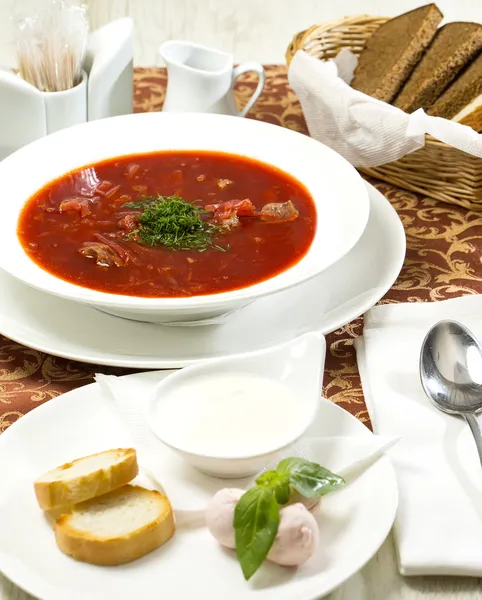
[(353, 522)]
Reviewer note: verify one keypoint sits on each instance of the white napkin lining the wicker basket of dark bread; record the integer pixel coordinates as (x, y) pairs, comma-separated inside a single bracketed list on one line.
[(366, 131)]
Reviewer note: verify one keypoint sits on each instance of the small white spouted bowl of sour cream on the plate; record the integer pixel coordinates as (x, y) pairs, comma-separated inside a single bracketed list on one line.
[(297, 366)]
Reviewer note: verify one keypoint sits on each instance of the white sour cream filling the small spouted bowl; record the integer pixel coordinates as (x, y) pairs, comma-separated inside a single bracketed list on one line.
[(230, 415)]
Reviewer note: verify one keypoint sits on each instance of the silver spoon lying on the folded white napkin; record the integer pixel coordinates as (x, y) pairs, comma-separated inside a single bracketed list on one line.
[(451, 373)]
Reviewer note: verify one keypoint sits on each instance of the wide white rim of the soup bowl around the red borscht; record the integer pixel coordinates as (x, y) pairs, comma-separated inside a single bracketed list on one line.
[(312, 150)]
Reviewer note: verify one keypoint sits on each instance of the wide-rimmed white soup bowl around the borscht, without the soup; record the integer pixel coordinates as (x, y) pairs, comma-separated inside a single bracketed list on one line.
[(341, 199)]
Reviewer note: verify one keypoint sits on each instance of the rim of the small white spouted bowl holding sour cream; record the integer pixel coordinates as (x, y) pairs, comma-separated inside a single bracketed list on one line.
[(171, 380)]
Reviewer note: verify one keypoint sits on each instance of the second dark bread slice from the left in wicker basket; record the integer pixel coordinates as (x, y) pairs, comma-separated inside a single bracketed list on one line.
[(454, 46)]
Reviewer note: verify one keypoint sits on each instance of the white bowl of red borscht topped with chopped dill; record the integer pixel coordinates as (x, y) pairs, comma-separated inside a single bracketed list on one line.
[(171, 216)]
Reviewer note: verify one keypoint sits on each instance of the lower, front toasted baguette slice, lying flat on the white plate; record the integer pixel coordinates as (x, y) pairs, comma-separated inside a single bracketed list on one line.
[(116, 528)]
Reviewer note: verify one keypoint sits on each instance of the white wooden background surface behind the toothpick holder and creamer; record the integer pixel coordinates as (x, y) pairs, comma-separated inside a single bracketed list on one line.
[(250, 29)]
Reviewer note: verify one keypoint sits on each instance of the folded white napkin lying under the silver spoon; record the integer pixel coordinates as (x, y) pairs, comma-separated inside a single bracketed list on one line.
[(438, 528)]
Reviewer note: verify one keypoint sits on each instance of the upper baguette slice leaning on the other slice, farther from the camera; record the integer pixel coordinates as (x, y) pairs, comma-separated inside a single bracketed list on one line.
[(86, 478)]
